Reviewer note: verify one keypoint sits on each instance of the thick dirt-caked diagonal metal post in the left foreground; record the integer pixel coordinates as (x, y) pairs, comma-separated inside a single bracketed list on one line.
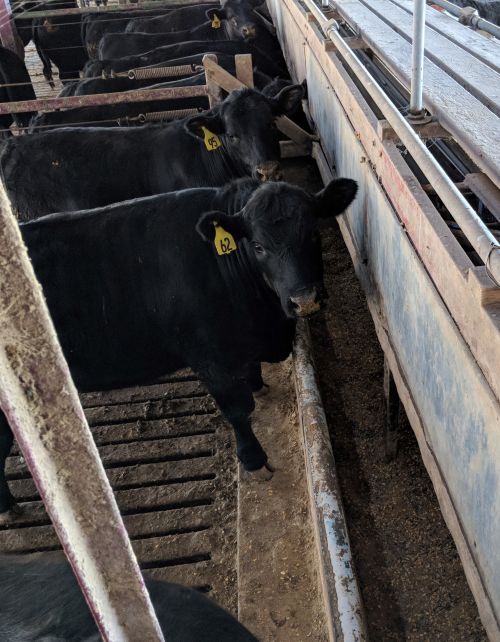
[(42, 406)]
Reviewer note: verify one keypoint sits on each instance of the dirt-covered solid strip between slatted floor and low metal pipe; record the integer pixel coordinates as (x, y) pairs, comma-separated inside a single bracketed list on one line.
[(278, 585)]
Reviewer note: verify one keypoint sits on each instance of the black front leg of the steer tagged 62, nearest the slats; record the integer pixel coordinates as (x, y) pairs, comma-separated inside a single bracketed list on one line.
[(233, 395)]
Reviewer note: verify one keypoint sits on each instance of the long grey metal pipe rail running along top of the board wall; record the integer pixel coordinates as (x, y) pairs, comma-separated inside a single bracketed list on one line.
[(478, 234)]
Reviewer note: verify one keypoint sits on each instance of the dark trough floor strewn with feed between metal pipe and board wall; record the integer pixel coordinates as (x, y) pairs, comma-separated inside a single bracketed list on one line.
[(411, 579)]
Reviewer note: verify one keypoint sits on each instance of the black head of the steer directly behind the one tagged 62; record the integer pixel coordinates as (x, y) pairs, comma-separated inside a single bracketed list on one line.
[(245, 123)]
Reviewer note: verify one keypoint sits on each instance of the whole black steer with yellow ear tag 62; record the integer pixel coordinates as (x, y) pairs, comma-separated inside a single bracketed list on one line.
[(143, 288)]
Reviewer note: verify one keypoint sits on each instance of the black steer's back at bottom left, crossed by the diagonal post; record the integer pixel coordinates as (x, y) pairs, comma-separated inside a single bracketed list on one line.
[(41, 600)]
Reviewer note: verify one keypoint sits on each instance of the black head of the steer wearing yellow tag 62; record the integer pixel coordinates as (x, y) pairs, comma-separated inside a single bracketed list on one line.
[(279, 224)]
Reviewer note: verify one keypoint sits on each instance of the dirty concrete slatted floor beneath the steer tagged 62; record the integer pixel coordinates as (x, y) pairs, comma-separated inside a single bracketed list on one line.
[(169, 457)]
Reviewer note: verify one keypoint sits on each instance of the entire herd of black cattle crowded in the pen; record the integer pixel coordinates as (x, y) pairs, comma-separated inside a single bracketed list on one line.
[(158, 247)]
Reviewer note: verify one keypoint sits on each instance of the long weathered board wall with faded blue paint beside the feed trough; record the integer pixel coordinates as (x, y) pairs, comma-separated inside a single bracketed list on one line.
[(449, 401)]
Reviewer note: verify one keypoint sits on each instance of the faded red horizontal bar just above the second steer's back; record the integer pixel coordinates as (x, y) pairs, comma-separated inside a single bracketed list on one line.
[(94, 100)]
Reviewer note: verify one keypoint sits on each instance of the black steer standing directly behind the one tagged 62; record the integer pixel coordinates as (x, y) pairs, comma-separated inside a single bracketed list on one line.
[(70, 169)]
